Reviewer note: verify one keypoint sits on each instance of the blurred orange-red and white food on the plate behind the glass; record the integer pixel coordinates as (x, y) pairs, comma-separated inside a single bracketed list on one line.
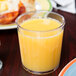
[(11, 9)]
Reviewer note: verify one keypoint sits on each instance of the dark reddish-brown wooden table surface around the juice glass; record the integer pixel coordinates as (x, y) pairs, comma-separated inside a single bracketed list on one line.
[(10, 53)]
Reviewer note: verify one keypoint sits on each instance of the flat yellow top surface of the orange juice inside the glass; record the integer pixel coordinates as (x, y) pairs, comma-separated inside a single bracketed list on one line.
[(41, 24)]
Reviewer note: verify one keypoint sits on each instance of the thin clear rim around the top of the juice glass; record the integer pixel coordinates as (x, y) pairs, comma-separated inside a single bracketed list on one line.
[(62, 23)]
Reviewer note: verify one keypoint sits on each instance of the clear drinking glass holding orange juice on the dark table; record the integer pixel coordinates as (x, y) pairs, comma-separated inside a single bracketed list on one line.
[(40, 50)]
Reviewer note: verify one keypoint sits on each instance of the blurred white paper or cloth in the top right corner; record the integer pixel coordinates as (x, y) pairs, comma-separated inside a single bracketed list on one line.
[(65, 5)]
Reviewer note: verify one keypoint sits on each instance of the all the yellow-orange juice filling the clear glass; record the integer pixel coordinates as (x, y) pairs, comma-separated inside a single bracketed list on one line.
[(40, 48)]
